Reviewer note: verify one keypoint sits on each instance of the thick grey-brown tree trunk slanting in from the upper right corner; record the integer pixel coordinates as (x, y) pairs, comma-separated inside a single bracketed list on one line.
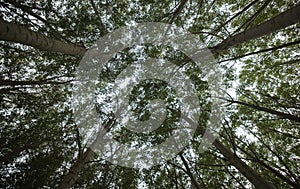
[(283, 20)]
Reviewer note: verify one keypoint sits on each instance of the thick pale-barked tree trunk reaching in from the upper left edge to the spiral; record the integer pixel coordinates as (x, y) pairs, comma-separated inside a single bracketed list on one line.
[(21, 34)]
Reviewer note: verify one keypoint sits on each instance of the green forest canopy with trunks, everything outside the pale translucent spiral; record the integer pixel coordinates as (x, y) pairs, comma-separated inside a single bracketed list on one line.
[(255, 44)]
